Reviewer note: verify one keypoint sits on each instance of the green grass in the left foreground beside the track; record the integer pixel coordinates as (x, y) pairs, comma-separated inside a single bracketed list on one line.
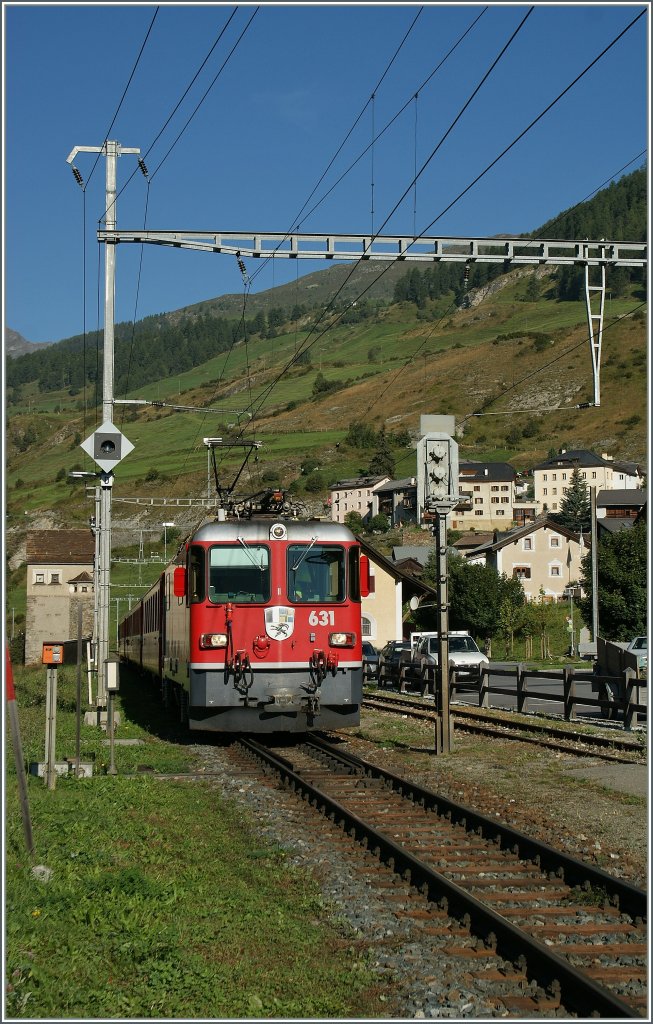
[(164, 901)]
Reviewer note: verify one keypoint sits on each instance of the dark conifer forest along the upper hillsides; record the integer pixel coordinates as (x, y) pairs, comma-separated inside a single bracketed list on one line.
[(175, 344)]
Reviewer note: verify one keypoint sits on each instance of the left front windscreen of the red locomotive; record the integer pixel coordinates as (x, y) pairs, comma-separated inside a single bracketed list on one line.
[(240, 574)]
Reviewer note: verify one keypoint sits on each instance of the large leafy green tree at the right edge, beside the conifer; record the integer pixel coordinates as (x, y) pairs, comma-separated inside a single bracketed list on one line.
[(623, 574)]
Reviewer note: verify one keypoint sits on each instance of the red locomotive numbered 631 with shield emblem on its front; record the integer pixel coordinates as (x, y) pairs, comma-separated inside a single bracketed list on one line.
[(256, 627)]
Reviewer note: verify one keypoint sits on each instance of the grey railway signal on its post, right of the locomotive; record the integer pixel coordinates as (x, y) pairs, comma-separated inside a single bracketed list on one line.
[(438, 484)]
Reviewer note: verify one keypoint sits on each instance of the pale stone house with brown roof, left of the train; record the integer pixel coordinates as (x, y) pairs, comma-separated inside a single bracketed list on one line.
[(60, 580)]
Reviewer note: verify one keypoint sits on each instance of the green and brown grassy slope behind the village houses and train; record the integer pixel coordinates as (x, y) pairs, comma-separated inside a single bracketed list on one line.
[(399, 367)]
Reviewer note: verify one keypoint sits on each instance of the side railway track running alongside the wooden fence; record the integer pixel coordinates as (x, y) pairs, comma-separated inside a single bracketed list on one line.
[(565, 741)]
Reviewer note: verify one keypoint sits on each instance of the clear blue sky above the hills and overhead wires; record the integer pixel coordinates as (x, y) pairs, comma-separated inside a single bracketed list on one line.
[(272, 123)]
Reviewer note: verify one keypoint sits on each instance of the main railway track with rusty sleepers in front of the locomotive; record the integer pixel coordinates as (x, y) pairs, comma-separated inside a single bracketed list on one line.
[(553, 934)]
